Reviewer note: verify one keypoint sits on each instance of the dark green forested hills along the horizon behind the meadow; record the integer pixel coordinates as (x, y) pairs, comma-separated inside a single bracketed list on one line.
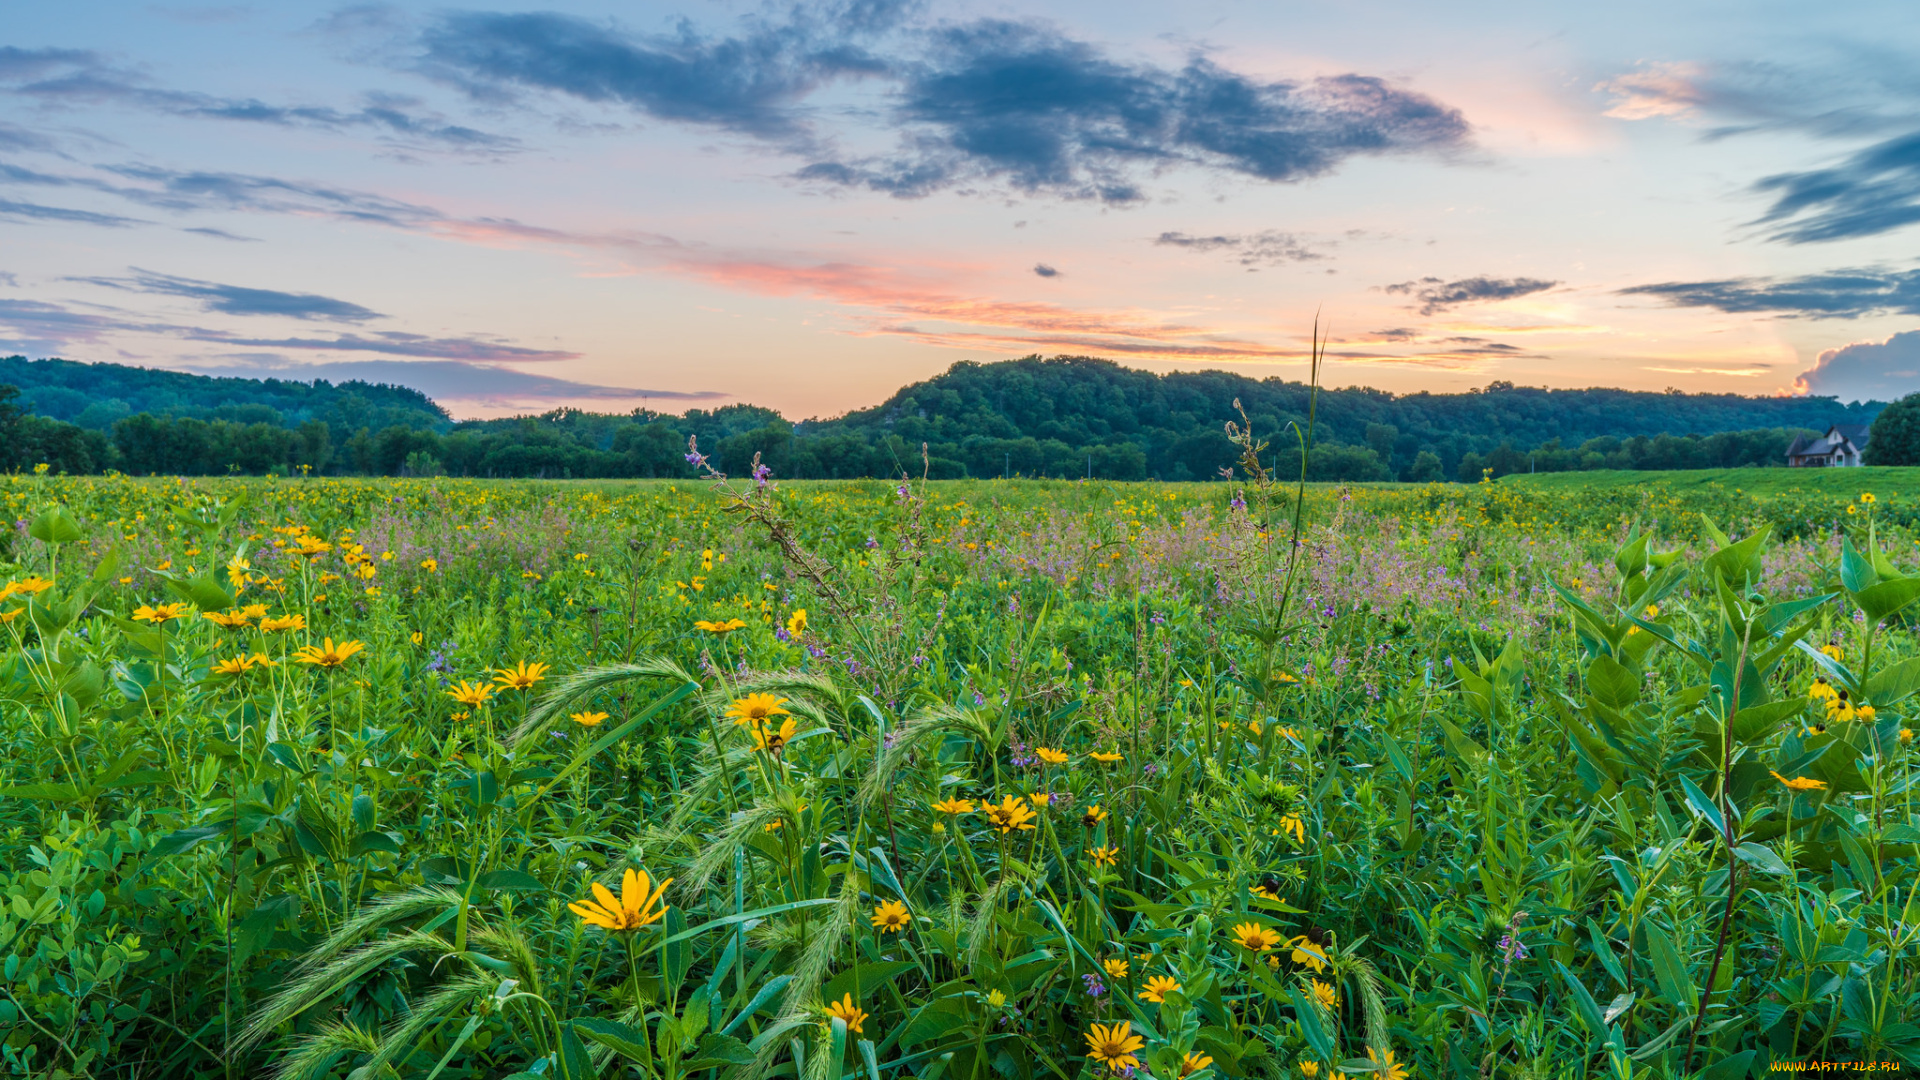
[(1055, 418)]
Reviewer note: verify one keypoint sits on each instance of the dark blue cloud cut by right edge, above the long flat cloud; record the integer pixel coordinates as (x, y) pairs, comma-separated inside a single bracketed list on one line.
[(1869, 193)]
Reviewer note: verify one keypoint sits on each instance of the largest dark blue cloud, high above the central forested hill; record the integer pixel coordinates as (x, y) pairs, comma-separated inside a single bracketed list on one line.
[(1049, 114)]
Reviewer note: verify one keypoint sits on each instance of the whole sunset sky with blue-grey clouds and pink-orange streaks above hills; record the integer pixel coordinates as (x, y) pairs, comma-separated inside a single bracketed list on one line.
[(807, 207)]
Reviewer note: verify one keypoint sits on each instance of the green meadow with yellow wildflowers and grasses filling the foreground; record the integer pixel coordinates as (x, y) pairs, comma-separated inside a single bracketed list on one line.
[(1573, 775)]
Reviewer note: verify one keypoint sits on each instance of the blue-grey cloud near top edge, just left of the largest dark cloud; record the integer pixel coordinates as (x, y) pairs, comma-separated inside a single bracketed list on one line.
[(750, 84)]
